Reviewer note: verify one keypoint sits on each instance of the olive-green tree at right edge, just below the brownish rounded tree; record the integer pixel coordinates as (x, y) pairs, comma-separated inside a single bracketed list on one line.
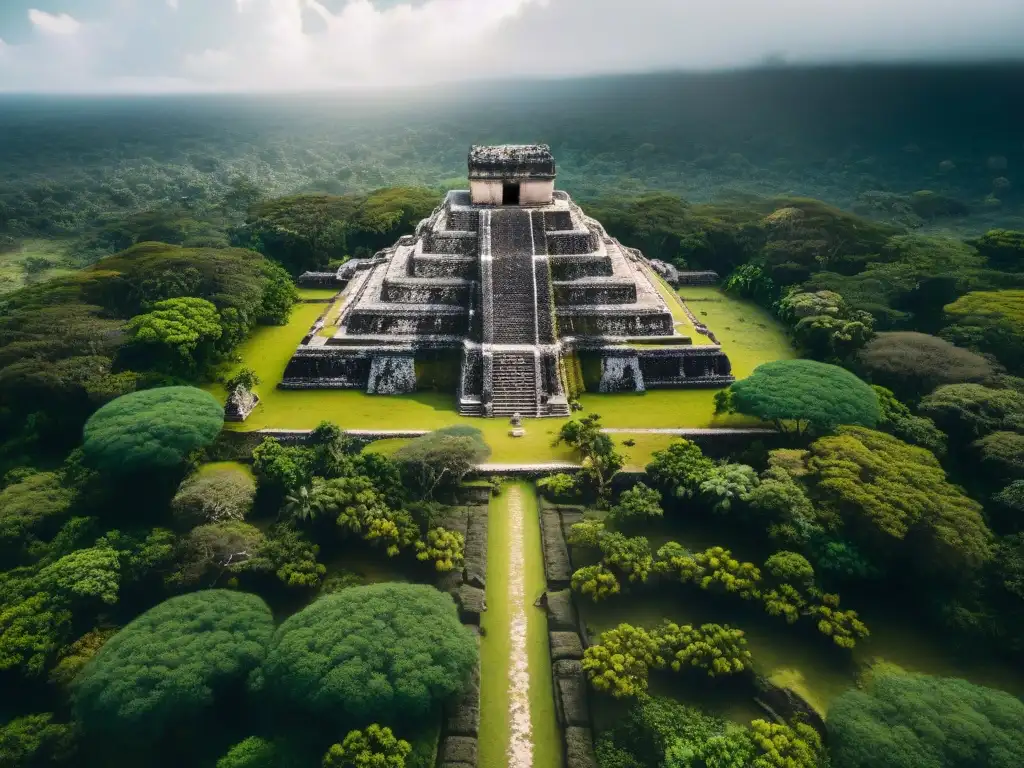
[(967, 412)]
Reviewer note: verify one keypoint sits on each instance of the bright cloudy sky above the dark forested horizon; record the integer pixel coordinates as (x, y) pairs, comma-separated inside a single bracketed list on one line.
[(231, 46)]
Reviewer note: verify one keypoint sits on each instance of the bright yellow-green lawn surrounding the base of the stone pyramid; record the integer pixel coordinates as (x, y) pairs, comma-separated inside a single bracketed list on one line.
[(748, 333)]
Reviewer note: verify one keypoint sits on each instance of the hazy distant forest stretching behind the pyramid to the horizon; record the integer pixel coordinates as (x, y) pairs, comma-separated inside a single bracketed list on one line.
[(843, 136)]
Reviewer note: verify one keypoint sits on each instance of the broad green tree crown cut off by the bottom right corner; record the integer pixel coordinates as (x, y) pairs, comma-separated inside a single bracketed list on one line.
[(902, 720)]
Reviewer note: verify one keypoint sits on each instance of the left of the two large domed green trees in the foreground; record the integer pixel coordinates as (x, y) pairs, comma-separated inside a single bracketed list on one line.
[(169, 666)]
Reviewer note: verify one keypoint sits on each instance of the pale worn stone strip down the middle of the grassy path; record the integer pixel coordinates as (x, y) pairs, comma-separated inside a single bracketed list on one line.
[(521, 749)]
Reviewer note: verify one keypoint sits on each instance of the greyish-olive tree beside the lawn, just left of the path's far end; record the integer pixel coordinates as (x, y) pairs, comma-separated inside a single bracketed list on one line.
[(442, 458)]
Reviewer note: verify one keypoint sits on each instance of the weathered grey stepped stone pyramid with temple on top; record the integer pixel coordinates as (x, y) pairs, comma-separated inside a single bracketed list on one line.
[(509, 295)]
